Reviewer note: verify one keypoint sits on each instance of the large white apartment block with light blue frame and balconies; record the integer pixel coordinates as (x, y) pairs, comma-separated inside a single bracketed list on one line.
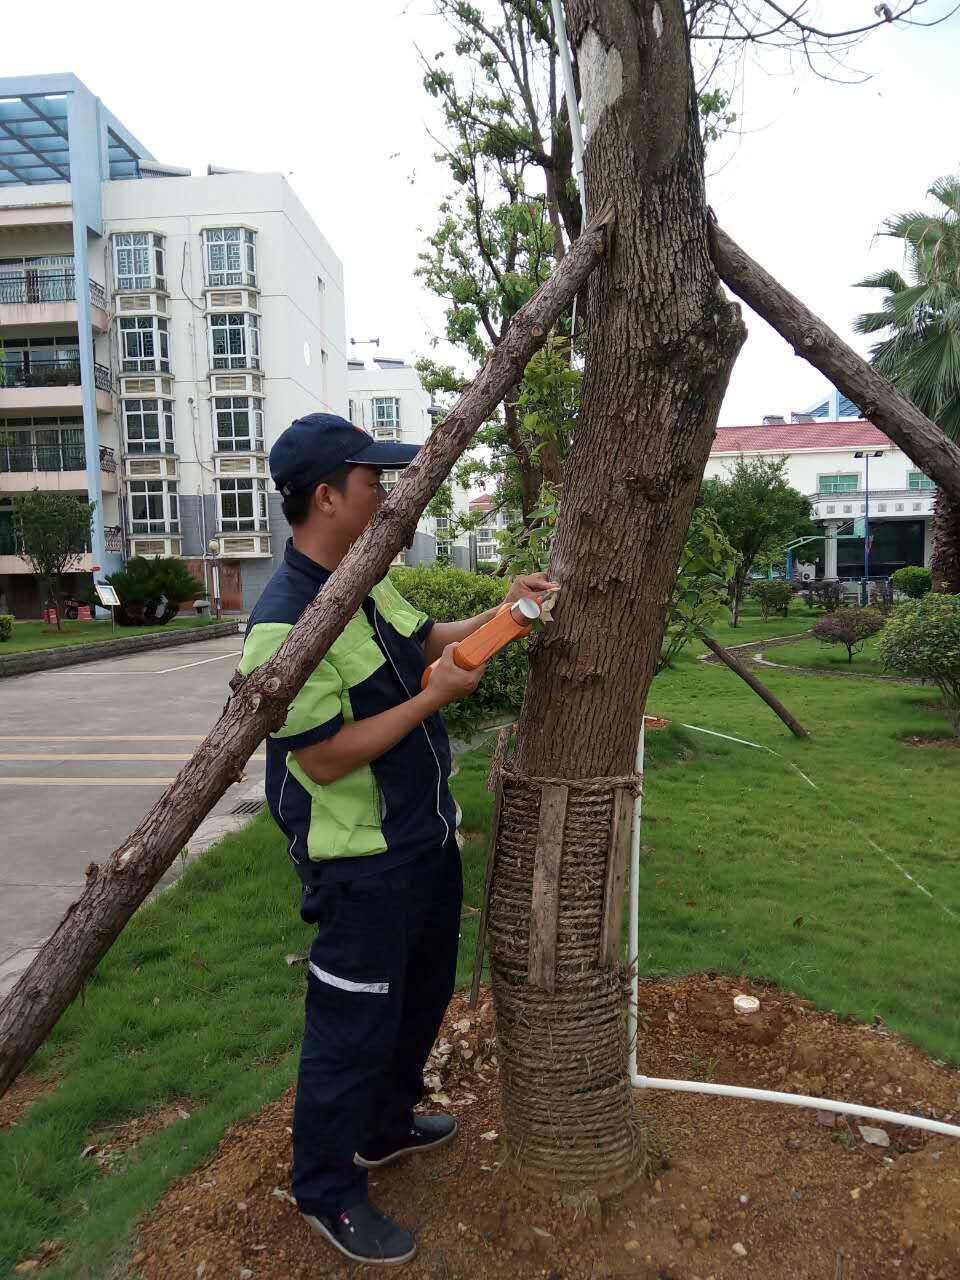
[(158, 331)]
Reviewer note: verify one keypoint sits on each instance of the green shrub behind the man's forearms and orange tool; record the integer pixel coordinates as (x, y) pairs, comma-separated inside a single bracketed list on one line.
[(449, 596)]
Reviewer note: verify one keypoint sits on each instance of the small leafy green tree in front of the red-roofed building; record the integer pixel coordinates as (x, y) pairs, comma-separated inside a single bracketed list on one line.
[(760, 513)]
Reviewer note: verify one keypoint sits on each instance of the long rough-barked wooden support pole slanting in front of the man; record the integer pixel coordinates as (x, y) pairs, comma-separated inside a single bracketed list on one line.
[(116, 890)]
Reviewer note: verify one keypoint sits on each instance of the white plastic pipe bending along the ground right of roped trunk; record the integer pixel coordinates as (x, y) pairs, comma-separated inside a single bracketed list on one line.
[(729, 1091)]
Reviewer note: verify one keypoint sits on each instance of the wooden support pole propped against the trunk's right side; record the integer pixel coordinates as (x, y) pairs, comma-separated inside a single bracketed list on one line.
[(879, 400)]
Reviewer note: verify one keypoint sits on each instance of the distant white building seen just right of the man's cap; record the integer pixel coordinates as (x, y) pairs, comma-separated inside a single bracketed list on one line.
[(388, 400)]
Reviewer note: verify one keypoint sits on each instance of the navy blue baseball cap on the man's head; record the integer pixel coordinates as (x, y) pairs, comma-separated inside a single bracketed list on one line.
[(317, 445)]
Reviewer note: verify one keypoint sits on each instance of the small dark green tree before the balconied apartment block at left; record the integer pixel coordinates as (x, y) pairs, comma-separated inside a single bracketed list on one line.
[(53, 531)]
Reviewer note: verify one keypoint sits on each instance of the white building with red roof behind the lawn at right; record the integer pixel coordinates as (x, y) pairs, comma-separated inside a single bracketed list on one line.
[(828, 459)]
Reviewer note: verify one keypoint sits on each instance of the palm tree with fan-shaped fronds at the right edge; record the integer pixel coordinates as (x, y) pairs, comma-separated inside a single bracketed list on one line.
[(922, 350)]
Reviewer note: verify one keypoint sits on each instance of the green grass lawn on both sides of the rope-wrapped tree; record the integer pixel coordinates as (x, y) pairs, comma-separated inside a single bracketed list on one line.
[(746, 870)]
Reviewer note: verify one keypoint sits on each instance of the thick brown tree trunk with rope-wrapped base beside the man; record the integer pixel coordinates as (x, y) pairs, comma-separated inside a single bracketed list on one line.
[(662, 341)]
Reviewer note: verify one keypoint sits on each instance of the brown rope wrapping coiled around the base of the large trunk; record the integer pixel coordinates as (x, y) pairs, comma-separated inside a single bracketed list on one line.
[(569, 1114)]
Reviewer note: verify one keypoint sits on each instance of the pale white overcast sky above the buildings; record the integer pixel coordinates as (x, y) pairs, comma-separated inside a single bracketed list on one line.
[(332, 97)]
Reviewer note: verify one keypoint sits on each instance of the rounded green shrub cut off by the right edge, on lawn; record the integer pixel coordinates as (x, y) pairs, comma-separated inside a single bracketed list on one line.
[(922, 639)]
